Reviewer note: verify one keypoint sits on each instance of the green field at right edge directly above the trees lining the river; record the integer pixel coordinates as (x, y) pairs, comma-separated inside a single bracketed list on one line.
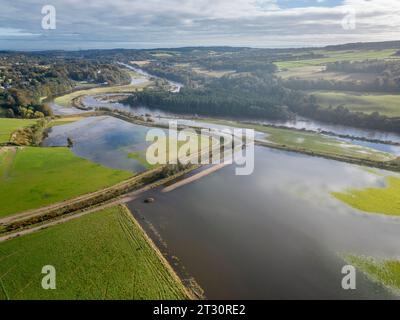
[(386, 104)]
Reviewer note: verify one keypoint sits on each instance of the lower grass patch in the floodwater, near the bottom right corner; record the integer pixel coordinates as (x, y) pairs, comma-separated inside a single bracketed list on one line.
[(386, 272)]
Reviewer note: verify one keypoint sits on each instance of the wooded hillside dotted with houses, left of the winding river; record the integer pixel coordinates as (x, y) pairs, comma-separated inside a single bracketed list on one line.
[(25, 79)]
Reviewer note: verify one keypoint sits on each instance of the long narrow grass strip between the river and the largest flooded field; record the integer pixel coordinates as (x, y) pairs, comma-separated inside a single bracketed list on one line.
[(311, 141)]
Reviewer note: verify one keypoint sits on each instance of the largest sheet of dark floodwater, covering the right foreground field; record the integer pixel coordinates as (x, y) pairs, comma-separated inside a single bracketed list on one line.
[(276, 234)]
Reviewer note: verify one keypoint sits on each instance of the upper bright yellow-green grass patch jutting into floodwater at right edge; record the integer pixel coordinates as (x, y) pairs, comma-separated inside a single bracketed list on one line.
[(374, 200)]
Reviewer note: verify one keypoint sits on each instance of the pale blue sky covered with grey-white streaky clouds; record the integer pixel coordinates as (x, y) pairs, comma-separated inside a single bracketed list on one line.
[(174, 23)]
